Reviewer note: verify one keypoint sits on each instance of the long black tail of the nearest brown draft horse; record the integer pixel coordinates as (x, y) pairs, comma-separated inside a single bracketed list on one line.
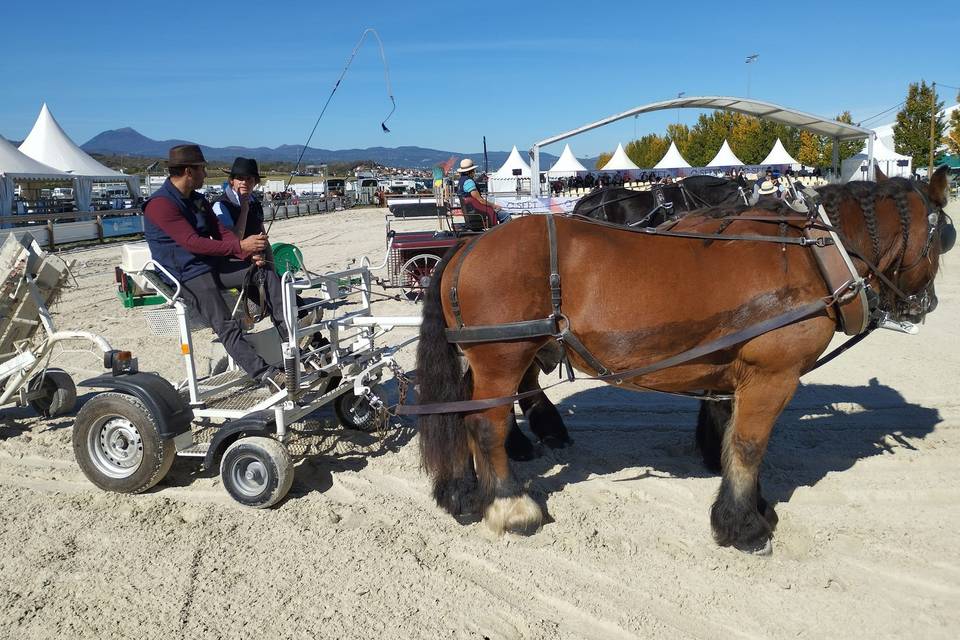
[(444, 448)]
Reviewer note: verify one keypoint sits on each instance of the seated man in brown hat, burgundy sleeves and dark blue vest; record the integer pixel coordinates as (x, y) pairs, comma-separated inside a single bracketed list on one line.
[(186, 238)]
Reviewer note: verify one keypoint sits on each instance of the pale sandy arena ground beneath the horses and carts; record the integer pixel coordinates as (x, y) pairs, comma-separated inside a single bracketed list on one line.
[(863, 468)]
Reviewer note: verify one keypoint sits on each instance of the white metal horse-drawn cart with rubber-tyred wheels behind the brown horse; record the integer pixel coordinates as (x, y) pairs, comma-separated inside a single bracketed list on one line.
[(125, 438)]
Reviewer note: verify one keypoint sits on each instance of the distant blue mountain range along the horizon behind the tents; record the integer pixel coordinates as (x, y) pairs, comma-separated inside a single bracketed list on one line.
[(131, 142)]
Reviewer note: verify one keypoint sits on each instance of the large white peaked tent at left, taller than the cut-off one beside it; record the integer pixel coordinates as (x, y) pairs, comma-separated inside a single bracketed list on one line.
[(49, 144)]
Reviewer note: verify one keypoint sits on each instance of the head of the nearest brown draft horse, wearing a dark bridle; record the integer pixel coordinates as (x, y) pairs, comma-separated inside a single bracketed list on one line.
[(931, 235)]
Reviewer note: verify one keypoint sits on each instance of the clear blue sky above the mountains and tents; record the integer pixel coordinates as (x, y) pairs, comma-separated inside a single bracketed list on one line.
[(256, 74)]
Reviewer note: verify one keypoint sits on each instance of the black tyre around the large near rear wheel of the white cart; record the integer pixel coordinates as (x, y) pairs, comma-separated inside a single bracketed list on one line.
[(158, 454)]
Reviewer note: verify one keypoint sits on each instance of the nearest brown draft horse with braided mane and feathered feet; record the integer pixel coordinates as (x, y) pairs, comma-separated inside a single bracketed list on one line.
[(691, 291)]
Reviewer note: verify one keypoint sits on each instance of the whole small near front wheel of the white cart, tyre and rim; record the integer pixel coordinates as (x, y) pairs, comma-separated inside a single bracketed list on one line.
[(257, 471)]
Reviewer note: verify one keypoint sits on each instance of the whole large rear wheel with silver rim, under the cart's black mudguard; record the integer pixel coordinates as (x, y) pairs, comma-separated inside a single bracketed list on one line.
[(117, 444)]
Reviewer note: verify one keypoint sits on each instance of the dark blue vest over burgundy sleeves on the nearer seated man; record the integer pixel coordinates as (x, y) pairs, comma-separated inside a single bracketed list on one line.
[(180, 262)]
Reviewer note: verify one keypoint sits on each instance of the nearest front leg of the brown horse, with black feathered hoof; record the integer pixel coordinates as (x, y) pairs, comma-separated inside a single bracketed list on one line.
[(736, 515)]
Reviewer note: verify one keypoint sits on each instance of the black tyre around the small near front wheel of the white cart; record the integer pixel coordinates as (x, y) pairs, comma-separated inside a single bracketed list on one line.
[(276, 461)]
